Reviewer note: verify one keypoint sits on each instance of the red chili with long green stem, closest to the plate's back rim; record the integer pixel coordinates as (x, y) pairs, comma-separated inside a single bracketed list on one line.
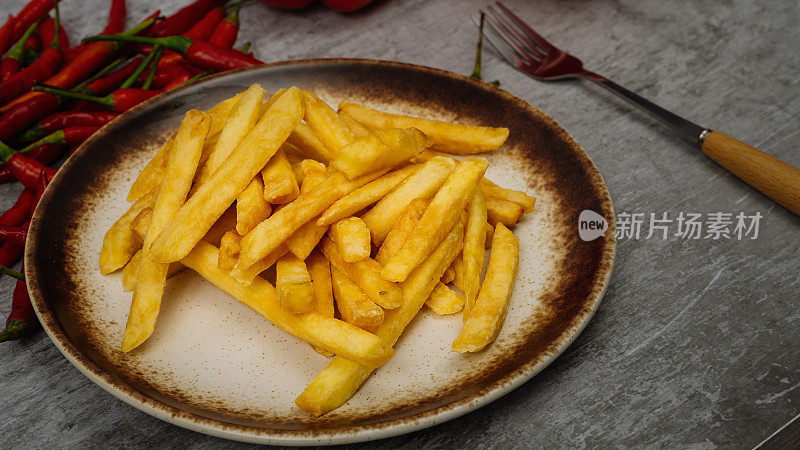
[(199, 53)]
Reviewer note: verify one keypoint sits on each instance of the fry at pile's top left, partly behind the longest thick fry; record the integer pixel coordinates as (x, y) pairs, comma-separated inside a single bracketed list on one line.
[(241, 119)]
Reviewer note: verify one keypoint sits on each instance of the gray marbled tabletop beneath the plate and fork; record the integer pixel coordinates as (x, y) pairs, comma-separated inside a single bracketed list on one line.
[(696, 342)]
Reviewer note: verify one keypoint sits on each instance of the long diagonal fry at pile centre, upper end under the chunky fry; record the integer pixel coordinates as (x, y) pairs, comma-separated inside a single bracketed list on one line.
[(274, 231)]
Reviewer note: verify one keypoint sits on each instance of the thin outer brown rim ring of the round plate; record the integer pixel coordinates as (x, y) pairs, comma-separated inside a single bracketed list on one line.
[(389, 425)]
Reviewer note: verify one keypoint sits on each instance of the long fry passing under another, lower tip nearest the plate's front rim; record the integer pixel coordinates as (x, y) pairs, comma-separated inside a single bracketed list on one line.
[(341, 378)]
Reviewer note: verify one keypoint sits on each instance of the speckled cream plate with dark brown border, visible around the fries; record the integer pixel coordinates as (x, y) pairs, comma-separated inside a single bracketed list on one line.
[(217, 367)]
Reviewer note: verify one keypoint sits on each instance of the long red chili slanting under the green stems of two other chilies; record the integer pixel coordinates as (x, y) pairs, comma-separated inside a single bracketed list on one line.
[(83, 65)]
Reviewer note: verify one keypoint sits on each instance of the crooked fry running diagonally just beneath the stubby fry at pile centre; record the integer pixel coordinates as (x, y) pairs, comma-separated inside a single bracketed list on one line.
[(366, 274)]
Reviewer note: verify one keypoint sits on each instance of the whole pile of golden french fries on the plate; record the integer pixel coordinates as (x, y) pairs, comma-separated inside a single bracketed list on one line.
[(360, 216)]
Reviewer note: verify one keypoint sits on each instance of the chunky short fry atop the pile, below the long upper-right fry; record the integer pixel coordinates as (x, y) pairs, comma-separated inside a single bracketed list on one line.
[(382, 149)]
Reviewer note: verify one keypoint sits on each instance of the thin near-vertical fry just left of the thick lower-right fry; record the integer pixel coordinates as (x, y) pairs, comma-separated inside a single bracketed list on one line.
[(474, 249)]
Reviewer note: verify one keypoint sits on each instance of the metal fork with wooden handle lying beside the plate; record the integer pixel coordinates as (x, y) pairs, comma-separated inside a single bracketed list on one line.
[(533, 55)]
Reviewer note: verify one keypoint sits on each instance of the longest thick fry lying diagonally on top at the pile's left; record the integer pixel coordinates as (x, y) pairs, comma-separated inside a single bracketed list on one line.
[(195, 217)]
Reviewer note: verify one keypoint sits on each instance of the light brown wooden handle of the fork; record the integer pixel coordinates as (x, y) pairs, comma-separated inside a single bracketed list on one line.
[(773, 177)]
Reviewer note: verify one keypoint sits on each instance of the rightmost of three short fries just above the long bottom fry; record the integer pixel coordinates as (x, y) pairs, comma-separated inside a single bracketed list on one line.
[(354, 305)]
